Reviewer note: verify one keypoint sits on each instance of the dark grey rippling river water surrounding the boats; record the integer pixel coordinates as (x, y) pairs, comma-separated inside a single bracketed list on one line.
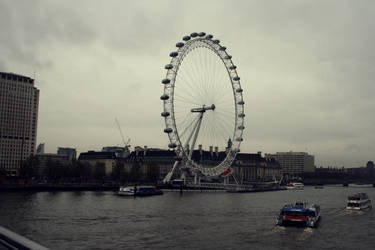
[(207, 220)]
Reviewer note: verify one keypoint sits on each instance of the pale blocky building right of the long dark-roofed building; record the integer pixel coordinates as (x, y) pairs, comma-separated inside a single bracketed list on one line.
[(294, 163)]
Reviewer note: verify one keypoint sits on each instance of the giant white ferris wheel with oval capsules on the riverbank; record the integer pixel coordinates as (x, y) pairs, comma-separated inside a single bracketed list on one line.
[(203, 104)]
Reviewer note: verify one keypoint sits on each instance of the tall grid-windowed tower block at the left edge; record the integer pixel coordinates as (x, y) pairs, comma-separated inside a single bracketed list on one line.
[(19, 101)]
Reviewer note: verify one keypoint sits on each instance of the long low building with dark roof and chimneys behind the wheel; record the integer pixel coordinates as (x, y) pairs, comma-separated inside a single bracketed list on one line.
[(247, 168)]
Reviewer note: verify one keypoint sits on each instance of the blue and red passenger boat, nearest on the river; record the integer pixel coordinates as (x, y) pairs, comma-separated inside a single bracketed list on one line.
[(300, 213)]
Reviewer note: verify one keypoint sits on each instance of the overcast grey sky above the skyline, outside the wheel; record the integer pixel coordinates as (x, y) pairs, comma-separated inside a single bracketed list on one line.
[(307, 69)]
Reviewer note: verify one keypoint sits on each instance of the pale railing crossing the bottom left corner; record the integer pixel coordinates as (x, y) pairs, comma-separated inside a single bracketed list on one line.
[(12, 240)]
